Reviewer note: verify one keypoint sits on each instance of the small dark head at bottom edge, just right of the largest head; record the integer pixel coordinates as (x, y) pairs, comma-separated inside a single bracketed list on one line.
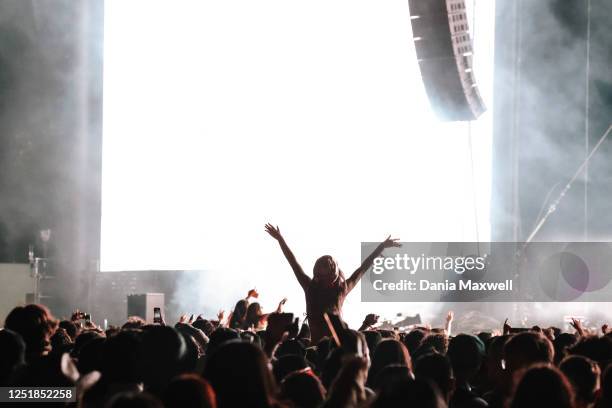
[(303, 389)]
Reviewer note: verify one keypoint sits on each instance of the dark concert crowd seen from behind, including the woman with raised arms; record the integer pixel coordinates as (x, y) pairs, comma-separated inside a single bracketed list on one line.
[(255, 359)]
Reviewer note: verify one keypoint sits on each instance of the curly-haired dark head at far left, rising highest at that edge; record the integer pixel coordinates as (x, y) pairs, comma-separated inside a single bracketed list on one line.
[(36, 325)]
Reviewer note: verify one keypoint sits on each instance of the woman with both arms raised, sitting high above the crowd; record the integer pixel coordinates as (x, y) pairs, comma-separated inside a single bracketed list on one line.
[(327, 289)]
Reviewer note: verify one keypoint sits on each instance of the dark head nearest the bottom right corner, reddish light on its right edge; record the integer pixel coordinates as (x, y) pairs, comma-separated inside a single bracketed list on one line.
[(583, 373)]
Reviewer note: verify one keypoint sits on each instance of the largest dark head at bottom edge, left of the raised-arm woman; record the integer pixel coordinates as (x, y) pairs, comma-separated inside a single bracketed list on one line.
[(240, 375)]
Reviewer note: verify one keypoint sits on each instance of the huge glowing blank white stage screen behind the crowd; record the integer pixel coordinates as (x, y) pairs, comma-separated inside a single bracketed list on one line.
[(222, 116)]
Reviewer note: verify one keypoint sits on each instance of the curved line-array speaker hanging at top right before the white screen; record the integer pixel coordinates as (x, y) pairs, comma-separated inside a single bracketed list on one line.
[(444, 51)]
